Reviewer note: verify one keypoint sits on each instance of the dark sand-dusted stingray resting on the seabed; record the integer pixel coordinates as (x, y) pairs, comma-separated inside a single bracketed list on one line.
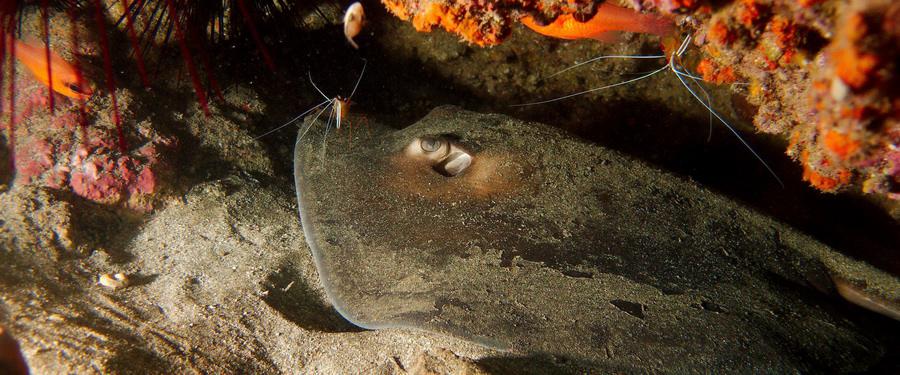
[(522, 238)]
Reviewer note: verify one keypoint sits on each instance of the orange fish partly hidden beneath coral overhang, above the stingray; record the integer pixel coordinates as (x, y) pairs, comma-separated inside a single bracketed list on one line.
[(608, 19)]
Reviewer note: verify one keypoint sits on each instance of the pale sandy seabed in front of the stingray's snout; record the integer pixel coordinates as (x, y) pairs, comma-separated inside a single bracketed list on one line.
[(221, 282)]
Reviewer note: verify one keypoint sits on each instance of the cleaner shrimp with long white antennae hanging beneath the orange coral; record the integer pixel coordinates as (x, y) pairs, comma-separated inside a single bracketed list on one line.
[(675, 65)]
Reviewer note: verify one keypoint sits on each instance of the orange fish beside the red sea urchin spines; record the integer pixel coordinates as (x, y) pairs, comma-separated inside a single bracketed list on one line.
[(65, 76)]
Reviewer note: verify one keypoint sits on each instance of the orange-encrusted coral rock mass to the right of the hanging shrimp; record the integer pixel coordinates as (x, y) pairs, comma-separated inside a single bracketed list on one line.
[(822, 72)]
